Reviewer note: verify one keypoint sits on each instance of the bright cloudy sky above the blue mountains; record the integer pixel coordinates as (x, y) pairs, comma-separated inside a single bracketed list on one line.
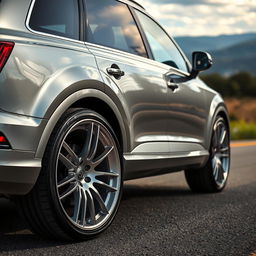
[(203, 17)]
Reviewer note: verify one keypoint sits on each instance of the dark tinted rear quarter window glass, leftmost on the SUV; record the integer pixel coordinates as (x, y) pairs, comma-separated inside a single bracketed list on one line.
[(58, 17)]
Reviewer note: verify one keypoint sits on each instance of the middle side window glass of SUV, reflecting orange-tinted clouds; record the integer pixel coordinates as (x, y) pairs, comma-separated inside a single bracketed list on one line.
[(111, 24)]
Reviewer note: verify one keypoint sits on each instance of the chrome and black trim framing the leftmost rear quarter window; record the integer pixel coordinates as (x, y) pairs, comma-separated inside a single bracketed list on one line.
[(80, 10)]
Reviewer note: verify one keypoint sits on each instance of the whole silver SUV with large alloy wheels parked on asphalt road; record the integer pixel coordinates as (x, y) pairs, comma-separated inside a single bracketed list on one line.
[(93, 93)]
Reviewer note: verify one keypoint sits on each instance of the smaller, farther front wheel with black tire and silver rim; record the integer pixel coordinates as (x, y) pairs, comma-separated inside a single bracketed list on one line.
[(209, 178)]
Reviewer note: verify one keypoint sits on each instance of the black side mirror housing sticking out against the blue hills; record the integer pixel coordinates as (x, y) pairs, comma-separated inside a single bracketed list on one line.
[(201, 61)]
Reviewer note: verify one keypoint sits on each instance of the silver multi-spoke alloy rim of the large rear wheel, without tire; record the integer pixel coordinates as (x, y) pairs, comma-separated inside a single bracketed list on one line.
[(88, 174)]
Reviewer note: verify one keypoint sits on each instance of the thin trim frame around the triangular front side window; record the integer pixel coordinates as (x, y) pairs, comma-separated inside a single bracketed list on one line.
[(188, 64)]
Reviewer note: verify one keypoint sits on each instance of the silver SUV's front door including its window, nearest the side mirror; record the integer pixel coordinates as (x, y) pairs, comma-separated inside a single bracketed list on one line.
[(186, 101)]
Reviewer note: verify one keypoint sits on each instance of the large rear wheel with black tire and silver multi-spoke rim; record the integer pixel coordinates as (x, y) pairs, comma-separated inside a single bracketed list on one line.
[(53, 213)]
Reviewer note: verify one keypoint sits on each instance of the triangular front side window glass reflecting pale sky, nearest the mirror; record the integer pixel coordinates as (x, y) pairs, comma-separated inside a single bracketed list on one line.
[(163, 48)]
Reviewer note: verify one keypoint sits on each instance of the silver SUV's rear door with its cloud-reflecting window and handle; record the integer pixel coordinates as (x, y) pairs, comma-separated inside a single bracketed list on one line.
[(114, 39)]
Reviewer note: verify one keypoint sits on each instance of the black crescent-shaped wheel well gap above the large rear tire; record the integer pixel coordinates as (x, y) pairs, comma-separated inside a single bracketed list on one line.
[(103, 109)]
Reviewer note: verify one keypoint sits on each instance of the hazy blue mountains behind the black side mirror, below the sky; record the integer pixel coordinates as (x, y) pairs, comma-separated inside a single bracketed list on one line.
[(231, 53)]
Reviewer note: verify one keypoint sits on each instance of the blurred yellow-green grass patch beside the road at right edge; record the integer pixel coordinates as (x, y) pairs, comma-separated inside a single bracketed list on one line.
[(241, 130)]
